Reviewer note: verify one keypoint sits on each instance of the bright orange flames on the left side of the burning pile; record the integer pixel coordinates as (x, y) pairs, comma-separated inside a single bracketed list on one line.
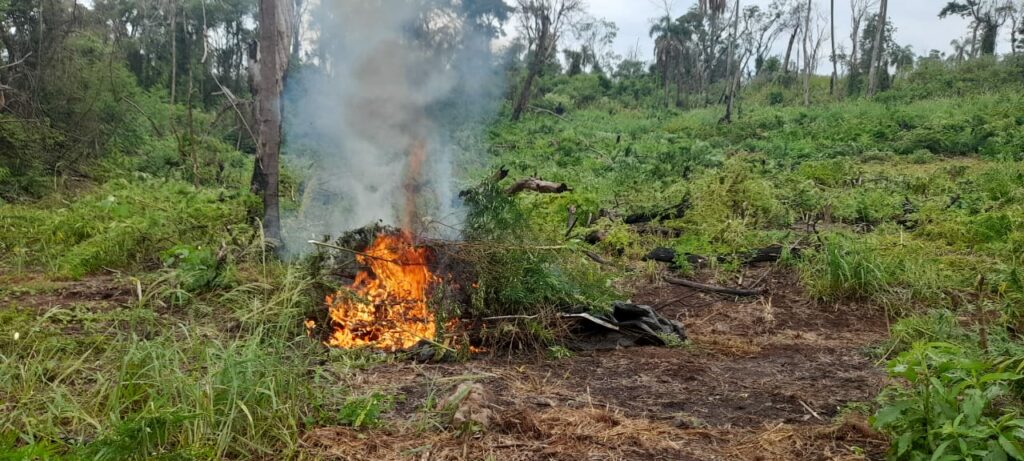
[(387, 306)]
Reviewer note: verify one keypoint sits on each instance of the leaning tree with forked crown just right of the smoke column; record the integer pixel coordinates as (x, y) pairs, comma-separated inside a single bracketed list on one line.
[(543, 23)]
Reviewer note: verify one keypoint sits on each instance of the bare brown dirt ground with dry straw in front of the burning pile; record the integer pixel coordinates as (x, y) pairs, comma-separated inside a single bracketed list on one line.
[(775, 379)]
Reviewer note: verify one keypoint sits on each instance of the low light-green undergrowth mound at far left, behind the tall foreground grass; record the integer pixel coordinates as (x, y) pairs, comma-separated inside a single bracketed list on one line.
[(122, 225)]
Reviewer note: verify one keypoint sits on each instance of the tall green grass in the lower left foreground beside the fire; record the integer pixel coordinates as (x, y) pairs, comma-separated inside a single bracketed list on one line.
[(195, 391)]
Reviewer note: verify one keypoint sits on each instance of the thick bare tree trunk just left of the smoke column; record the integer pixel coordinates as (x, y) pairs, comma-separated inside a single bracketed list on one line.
[(269, 83)]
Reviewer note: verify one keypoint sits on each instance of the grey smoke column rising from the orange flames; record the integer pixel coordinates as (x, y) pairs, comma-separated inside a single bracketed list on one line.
[(389, 78)]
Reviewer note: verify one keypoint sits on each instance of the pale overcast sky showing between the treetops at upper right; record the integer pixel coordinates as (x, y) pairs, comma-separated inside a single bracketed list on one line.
[(917, 24)]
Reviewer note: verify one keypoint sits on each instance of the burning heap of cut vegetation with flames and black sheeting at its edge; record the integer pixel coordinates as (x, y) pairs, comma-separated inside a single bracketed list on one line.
[(497, 288)]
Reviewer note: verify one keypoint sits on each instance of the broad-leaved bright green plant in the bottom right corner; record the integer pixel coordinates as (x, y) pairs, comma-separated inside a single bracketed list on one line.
[(950, 408)]
